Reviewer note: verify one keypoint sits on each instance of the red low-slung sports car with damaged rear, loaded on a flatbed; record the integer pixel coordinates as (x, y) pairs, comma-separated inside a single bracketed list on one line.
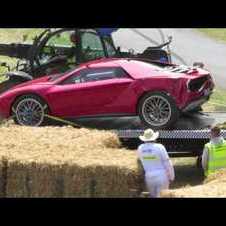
[(111, 87)]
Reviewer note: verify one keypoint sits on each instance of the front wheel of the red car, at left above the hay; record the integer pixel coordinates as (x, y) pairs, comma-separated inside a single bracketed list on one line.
[(29, 110)]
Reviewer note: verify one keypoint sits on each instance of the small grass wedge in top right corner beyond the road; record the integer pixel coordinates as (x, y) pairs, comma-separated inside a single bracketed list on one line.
[(216, 33)]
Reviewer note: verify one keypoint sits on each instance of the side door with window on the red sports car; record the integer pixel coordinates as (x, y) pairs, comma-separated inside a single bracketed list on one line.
[(92, 92)]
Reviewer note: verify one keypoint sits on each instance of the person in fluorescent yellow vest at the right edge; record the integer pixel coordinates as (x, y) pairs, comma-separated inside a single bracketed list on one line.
[(214, 153)]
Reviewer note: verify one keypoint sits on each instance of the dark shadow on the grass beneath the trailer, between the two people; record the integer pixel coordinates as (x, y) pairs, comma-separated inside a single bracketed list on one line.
[(187, 175)]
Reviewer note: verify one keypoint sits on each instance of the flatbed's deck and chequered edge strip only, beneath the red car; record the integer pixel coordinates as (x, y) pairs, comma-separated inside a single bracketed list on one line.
[(190, 126)]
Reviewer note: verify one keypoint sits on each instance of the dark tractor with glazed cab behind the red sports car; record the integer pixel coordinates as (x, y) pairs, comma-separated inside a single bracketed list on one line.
[(56, 51)]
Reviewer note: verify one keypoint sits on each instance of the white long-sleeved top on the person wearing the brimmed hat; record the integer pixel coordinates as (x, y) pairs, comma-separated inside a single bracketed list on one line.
[(154, 157)]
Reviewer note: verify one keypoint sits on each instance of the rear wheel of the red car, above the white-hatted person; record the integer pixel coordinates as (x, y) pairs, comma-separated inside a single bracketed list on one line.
[(158, 110)]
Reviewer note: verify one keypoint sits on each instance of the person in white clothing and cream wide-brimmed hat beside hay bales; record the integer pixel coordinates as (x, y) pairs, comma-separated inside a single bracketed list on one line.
[(159, 171)]
